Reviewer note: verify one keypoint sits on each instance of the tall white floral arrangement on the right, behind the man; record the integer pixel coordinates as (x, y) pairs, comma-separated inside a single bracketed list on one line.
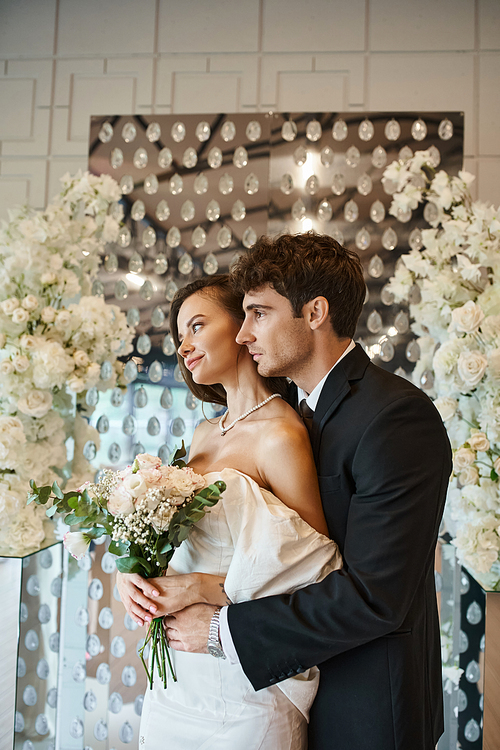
[(451, 279)]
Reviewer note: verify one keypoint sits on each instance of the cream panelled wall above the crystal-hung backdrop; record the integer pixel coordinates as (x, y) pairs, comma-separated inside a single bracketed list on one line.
[(63, 60)]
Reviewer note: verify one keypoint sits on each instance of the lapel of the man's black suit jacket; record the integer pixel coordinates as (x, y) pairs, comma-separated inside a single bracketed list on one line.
[(336, 388)]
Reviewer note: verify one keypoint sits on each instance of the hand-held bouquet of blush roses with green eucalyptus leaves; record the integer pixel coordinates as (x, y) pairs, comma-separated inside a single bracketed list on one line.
[(148, 510)]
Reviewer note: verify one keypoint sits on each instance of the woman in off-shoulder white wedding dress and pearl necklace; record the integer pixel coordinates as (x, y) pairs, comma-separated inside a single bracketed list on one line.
[(266, 535)]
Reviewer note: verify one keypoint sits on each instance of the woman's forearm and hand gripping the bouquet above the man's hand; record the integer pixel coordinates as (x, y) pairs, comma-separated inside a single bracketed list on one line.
[(148, 598)]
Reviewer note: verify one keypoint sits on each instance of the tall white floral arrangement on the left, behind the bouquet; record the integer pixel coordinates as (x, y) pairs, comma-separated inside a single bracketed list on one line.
[(54, 339)]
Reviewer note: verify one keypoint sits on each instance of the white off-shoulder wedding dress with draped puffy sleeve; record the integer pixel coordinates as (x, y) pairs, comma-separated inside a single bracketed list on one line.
[(263, 548)]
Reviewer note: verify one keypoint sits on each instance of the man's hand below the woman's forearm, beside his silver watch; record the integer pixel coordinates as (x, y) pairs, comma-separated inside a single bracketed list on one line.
[(187, 630)]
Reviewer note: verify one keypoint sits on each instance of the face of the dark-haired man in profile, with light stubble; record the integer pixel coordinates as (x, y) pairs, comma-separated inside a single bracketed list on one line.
[(279, 343)]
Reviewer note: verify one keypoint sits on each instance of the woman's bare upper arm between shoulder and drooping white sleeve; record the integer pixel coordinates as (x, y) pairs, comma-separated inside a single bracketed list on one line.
[(286, 464)]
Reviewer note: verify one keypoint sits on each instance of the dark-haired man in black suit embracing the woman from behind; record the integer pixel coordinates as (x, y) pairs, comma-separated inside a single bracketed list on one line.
[(383, 461)]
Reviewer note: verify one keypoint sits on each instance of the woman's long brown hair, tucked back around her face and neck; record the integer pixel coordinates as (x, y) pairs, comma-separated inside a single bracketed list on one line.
[(219, 289)]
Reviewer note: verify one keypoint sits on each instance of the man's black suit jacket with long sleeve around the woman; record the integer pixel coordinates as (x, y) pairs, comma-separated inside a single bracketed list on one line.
[(383, 461)]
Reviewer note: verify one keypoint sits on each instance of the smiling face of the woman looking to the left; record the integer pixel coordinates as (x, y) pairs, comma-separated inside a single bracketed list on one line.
[(208, 339)]
